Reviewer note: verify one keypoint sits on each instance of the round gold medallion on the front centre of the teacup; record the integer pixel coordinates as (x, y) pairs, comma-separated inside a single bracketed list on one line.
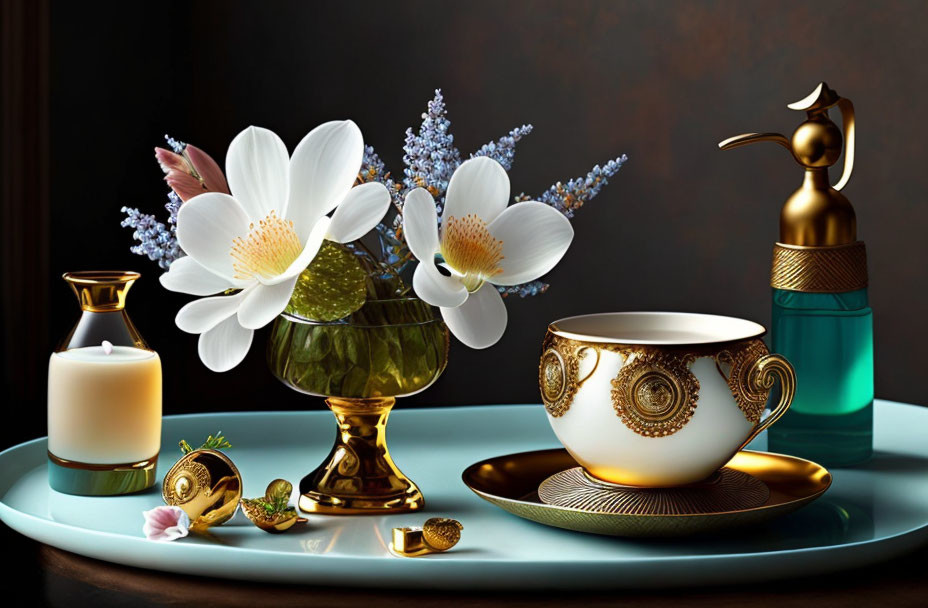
[(655, 393)]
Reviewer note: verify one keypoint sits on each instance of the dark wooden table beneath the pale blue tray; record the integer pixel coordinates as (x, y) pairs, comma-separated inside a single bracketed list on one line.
[(39, 575)]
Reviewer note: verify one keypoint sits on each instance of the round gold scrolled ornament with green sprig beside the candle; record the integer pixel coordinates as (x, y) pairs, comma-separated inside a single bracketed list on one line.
[(204, 483)]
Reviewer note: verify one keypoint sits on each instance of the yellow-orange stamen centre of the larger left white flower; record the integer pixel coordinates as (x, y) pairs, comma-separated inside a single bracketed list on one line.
[(267, 251)]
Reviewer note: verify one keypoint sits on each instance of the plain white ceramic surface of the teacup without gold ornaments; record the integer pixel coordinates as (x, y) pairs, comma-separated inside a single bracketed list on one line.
[(598, 438)]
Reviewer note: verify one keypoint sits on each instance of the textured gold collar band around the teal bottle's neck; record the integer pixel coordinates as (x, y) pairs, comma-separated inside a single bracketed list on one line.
[(819, 269)]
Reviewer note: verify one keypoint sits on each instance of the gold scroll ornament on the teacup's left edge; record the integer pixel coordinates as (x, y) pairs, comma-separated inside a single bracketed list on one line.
[(559, 372)]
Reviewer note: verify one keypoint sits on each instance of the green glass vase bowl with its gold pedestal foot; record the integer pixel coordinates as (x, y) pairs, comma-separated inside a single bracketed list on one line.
[(388, 349)]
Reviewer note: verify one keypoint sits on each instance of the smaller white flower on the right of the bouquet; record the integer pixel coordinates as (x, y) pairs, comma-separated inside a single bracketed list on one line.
[(483, 243)]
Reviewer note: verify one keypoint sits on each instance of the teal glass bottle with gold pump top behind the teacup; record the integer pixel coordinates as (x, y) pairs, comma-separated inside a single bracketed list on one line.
[(822, 320)]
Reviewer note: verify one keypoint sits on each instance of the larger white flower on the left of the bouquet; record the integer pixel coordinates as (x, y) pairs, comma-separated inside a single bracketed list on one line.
[(260, 238)]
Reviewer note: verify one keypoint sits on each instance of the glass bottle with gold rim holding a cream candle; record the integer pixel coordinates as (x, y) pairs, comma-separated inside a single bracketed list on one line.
[(104, 395)]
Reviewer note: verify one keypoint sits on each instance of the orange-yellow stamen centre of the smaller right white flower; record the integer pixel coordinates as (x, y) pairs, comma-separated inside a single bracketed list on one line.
[(469, 248)]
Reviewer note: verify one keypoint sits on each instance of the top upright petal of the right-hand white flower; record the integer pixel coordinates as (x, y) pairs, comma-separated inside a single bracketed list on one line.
[(480, 186)]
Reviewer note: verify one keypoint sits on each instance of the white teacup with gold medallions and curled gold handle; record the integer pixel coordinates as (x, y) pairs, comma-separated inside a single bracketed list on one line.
[(658, 398)]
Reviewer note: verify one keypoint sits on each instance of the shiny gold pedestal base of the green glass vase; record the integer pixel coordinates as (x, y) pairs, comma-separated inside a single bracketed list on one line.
[(359, 477)]
